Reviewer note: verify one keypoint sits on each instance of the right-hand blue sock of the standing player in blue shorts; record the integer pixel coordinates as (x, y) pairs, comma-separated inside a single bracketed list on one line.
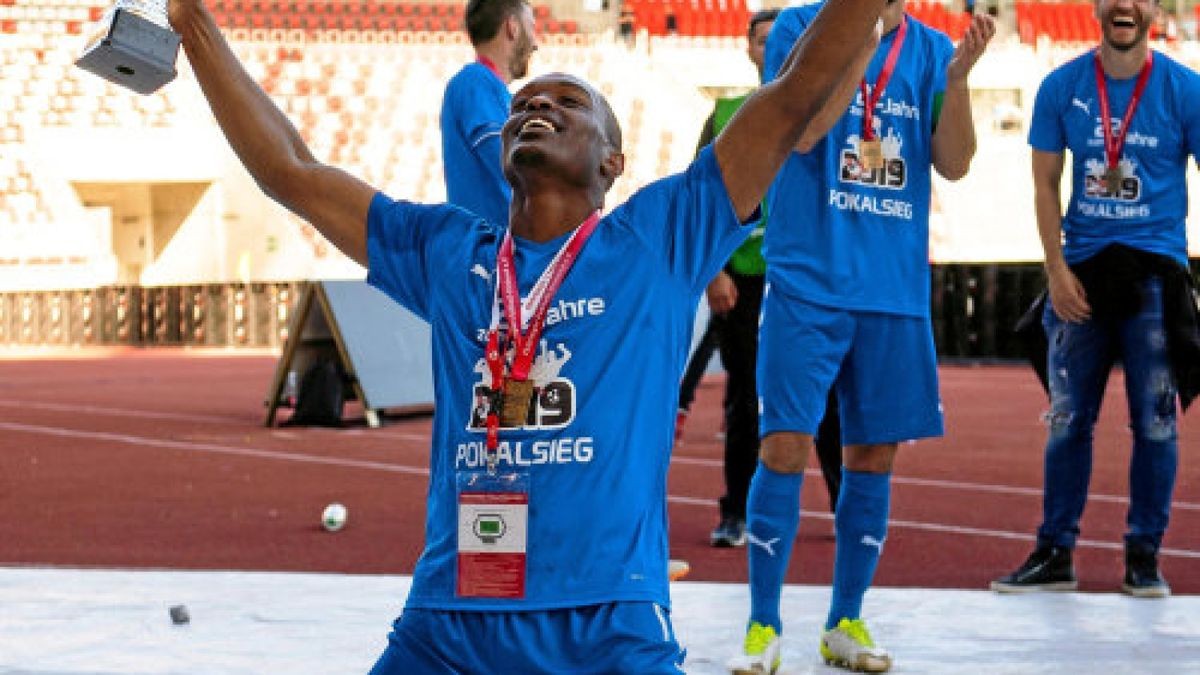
[(862, 528)]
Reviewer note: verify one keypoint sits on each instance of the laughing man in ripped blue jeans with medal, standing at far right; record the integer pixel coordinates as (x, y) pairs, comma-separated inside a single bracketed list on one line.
[(1118, 262)]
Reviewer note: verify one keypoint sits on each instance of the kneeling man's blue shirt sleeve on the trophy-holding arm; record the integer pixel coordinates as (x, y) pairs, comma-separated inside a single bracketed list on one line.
[(404, 243)]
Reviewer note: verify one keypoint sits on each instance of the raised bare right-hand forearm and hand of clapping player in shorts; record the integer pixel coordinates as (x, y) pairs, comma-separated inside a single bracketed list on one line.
[(955, 142)]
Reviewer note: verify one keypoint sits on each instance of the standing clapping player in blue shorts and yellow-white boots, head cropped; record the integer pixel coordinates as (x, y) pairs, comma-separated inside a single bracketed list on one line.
[(848, 307)]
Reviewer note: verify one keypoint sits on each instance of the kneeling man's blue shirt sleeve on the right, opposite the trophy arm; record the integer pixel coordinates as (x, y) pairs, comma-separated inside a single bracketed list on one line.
[(688, 222)]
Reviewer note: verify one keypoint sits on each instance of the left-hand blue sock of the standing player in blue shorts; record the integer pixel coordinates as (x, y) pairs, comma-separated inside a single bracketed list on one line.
[(773, 515)]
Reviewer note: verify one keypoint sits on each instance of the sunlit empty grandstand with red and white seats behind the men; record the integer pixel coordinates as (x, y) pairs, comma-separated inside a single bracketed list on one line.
[(104, 189)]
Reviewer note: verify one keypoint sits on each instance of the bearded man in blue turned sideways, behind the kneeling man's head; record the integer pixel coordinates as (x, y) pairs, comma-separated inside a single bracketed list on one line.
[(477, 101)]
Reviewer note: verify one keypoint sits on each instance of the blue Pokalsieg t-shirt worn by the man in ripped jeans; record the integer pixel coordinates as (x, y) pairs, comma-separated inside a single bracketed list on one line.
[(1150, 210)]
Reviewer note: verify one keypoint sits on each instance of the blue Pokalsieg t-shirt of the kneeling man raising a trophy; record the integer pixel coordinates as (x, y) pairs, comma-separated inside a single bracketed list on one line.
[(609, 371)]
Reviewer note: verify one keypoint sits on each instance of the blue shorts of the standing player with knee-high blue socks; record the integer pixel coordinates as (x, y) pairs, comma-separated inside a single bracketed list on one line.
[(884, 368)]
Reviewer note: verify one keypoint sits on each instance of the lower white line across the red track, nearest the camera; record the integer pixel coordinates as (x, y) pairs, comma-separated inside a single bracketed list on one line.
[(259, 453)]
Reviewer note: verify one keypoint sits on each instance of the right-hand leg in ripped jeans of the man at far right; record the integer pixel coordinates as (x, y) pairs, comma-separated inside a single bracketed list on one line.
[(1151, 391)]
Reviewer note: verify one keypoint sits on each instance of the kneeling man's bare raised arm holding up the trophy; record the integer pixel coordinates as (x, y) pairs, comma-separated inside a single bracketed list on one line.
[(265, 140)]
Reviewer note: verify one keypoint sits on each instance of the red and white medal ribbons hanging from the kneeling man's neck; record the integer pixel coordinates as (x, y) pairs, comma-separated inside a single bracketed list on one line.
[(526, 345)]
